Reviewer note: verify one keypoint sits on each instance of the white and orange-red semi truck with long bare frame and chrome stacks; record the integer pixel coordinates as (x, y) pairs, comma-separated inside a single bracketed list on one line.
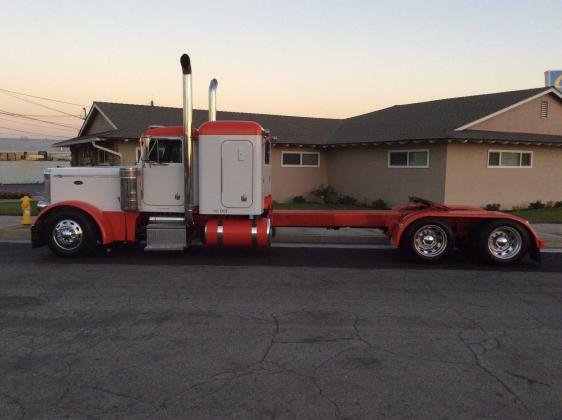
[(211, 185)]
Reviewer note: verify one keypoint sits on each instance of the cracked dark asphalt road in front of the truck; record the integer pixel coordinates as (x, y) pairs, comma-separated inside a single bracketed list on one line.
[(282, 333)]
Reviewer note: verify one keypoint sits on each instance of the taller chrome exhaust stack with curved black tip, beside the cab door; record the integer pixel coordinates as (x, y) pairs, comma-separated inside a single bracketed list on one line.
[(188, 141)]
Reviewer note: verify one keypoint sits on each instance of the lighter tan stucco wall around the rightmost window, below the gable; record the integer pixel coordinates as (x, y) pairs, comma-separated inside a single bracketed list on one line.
[(469, 180)]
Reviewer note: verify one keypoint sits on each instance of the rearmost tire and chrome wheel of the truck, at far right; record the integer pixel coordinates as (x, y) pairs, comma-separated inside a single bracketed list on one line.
[(502, 242)]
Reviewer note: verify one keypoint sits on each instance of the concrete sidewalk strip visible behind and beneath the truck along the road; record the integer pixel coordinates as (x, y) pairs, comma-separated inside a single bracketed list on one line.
[(551, 234)]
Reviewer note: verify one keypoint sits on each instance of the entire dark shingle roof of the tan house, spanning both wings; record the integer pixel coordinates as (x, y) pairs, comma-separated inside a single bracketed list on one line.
[(433, 120)]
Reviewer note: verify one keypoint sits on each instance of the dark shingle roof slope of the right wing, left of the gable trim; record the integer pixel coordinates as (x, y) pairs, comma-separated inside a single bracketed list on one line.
[(425, 120)]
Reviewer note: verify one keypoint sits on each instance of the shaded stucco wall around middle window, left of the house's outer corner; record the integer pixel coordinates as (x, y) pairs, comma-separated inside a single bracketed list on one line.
[(364, 173)]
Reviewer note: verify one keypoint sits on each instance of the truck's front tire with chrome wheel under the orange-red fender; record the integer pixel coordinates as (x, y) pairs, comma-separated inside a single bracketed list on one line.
[(71, 233)]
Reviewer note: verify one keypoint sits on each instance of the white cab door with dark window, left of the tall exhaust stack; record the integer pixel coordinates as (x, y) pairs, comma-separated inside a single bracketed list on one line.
[(162, 175)]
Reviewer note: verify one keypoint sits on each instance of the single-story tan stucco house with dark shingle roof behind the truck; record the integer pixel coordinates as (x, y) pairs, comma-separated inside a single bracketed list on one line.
[(497, 148)]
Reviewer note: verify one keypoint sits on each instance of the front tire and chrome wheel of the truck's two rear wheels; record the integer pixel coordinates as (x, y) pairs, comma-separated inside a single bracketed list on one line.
[(428, 240)]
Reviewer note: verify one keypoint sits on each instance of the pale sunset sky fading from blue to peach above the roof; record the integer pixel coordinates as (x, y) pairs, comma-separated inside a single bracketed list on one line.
[(311, 58)]
